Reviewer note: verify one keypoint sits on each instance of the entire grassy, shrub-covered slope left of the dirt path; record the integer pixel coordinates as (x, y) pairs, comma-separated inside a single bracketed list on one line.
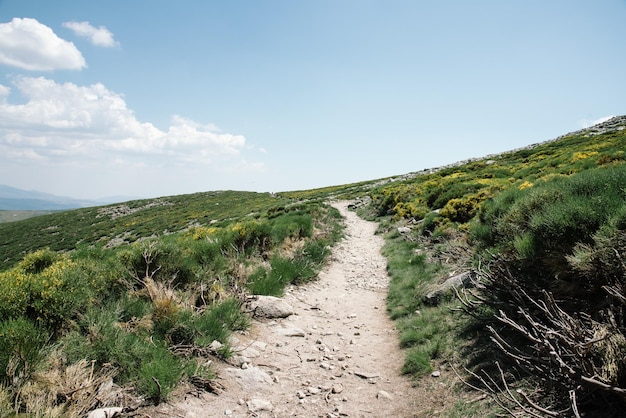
[(142, 291)]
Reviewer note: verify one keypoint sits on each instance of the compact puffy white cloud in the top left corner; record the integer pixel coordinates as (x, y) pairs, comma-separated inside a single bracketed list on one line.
[(29, 45)]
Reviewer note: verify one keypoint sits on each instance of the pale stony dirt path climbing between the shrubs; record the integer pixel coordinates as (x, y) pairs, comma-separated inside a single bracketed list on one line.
[(337, 356)]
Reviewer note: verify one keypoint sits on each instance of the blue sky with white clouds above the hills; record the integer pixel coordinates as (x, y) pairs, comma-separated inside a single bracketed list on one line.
[(147, 99)]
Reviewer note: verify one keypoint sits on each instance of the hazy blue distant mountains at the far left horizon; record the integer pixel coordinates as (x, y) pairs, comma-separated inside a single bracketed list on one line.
[(12, 198)]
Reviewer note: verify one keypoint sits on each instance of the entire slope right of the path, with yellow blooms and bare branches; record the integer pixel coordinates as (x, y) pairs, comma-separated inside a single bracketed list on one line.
[(543, 229)]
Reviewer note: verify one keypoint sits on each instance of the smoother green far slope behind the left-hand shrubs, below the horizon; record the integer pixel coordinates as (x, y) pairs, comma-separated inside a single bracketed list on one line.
[(127, 222)]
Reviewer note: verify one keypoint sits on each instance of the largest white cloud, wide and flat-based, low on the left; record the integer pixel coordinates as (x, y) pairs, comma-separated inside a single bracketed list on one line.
[(67, 122)]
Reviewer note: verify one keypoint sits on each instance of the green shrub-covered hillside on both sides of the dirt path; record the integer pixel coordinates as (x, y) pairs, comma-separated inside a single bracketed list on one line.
[(176, 270)]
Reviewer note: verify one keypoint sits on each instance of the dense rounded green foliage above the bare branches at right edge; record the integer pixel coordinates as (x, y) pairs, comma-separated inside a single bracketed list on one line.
[(548, 220)]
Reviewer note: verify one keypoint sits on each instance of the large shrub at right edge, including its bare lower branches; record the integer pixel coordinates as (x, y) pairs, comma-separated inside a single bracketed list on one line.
[(557, 283)]
